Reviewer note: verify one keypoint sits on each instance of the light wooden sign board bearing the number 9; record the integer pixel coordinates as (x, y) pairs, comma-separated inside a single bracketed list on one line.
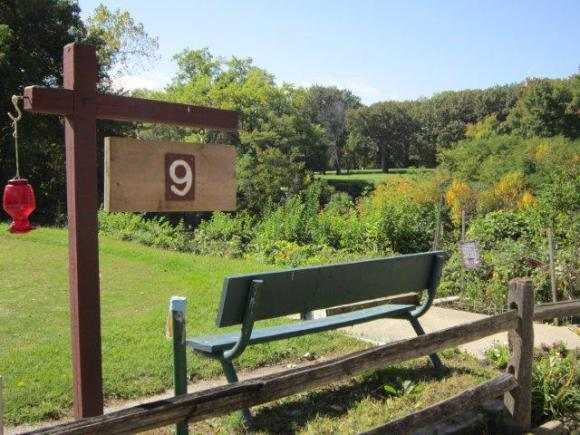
[(168, 176)]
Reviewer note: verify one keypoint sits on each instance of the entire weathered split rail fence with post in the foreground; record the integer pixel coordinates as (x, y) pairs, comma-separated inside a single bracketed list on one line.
[(514, 384)]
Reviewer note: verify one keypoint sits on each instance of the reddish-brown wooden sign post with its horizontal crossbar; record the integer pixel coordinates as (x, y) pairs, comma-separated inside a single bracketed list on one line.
[(81, 106)]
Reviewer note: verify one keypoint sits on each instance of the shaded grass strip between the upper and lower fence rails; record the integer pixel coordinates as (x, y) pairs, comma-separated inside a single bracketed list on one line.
[(364, 402)]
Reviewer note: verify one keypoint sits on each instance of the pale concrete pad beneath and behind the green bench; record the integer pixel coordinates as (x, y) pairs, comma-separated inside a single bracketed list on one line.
[(389, 330)]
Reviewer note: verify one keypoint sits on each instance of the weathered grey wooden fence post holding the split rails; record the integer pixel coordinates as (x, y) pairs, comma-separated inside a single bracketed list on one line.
[(521, 345)]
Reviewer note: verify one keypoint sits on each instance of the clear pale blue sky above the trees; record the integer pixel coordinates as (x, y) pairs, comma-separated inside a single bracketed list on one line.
[(381, 50)]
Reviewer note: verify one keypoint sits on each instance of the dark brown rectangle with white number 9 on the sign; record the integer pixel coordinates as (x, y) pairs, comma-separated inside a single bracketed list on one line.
[(179, 177)]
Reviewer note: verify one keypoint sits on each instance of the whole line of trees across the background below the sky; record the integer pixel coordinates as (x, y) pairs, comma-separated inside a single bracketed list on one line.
[(286, 131)]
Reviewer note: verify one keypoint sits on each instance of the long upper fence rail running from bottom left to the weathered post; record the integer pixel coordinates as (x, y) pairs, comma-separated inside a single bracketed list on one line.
[(225, 399)]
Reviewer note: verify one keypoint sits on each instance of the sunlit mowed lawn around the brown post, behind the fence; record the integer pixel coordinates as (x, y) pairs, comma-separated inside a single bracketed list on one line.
[(136, 284)]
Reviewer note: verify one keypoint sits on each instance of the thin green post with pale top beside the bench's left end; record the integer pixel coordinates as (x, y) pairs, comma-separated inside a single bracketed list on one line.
[(177, 307)]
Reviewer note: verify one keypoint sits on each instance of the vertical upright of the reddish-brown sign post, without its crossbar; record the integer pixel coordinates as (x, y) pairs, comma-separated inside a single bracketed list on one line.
[(80, 75)]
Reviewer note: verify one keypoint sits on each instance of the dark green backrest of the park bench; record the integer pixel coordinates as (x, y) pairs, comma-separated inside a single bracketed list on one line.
[(310, 288)]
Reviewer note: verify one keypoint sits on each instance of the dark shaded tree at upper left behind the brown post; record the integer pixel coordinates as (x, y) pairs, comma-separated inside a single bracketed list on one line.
[(29, 56)]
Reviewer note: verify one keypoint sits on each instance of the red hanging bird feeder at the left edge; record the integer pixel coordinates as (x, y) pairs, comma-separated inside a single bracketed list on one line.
[(19, 203)]
